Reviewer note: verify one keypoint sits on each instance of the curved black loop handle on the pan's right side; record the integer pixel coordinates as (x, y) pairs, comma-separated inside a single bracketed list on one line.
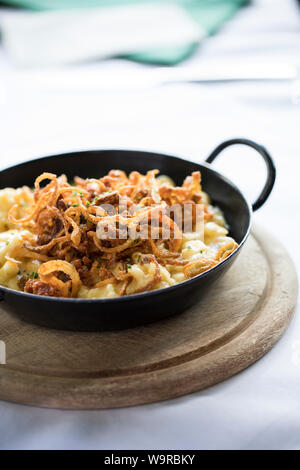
[(271, 170)]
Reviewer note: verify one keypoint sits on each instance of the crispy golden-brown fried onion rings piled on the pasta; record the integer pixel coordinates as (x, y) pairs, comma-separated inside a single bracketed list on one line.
[(131, 212)]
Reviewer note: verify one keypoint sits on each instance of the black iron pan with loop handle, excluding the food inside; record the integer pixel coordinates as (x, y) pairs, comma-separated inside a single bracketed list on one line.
[(137, 309)]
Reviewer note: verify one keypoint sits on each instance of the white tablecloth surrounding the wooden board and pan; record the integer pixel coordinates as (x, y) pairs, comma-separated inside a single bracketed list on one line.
[(260, 407)]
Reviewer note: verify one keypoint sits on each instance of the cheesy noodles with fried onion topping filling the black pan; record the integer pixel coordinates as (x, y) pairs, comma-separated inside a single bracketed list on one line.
[(114, 236)]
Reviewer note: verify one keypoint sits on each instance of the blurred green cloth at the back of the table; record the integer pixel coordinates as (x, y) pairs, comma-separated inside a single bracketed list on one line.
[(208, 14)]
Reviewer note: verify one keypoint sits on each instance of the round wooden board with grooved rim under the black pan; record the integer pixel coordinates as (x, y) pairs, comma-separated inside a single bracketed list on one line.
[(238, 321)]
